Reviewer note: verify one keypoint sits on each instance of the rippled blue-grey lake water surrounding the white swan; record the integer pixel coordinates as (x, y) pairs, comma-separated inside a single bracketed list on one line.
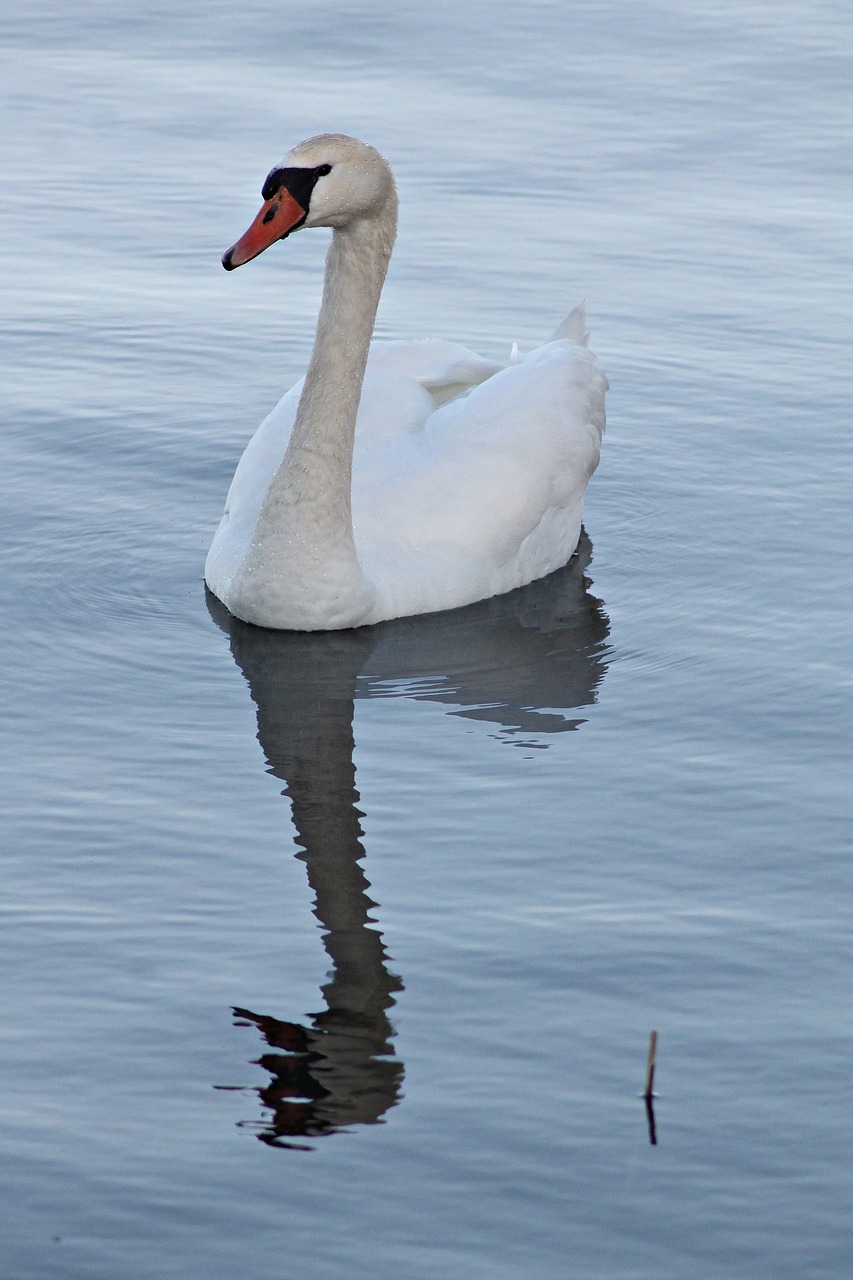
[(339, 956)]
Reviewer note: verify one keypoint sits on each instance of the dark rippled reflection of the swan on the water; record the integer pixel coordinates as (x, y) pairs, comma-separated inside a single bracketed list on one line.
[(526, 662)]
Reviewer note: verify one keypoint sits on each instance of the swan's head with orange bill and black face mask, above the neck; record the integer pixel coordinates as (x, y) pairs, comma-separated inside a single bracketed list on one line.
[(330, 181)]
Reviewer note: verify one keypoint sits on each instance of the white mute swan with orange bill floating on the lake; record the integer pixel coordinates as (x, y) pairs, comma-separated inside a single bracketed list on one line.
[(464, 479)]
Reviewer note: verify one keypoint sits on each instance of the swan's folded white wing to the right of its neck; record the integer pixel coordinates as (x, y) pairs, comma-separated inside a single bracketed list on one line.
[(490, 495)]
